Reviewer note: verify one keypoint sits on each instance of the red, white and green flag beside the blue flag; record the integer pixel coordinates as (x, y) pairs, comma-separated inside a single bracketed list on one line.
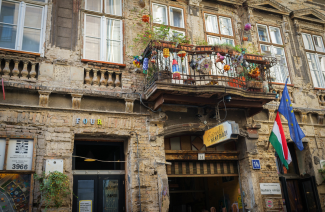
[(278, 141)]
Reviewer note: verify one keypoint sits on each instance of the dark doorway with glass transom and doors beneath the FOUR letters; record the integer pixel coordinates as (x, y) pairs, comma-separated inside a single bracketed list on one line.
[(98, 176)]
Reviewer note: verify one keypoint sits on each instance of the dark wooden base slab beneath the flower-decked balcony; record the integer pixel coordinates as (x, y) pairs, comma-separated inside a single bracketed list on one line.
[(161, 92)]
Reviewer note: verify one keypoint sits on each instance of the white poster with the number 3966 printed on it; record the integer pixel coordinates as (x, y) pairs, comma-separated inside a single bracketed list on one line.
[(20, 154)]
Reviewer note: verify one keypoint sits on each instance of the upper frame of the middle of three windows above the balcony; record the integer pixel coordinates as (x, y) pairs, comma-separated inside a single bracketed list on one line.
[(212, 34)]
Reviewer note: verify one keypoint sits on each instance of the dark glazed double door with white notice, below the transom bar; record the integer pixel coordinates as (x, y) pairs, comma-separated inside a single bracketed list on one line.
[(99, 192)]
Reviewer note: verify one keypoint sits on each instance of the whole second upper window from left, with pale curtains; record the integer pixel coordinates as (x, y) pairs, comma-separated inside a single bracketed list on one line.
[(103, 38)]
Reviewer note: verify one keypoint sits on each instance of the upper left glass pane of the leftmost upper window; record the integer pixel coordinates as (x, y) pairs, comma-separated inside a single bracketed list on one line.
[(9, 12)]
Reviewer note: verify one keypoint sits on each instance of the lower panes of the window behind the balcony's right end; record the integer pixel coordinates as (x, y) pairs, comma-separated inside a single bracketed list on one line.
[(280, 71)]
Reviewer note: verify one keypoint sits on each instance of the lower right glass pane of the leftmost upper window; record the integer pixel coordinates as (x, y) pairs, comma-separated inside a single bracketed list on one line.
[(31, 40)]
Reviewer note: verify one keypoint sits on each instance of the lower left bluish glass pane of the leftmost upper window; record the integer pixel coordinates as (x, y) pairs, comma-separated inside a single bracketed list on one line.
[(7, 36)]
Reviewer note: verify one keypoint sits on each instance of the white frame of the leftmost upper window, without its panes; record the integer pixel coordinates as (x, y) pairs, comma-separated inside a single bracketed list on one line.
[(21, 25)]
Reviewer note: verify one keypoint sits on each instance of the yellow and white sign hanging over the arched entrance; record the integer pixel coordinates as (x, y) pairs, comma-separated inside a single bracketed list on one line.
[(220, 133)]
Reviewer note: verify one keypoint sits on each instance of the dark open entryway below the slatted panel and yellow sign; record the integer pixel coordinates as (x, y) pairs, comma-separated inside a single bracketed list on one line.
[(197, 194)]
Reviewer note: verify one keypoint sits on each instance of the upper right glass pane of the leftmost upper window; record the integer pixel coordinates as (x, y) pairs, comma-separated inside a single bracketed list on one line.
[(33, 17)]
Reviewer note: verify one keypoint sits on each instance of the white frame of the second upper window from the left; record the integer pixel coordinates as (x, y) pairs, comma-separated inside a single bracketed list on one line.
[(103, 54)]
